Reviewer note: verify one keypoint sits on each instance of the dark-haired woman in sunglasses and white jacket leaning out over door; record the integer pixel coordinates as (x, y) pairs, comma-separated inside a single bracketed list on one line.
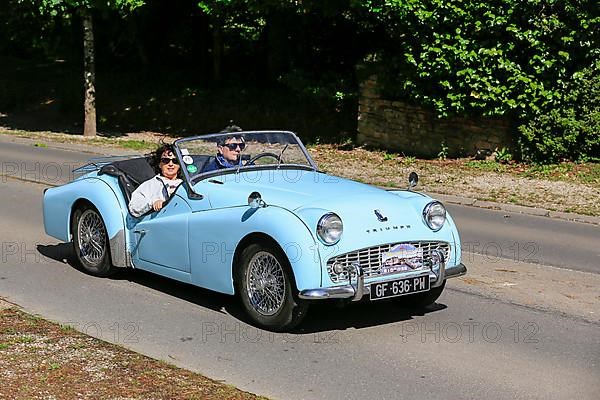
[(152, 194)]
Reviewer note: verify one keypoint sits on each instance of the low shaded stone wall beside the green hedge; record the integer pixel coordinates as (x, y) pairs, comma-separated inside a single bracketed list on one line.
[(403, 128)]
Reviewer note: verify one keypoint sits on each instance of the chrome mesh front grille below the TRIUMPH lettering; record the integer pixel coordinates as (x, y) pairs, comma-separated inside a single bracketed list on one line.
[(370, 258)]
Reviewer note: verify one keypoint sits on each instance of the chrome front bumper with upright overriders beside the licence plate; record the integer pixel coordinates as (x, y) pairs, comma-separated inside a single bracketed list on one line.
[(357, 289)]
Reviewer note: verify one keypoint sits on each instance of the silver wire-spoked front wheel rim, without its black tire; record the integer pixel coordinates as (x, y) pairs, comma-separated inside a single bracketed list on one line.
[(265, 283)]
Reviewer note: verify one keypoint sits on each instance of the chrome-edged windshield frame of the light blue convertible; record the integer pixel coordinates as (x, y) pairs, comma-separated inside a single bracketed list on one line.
[(195, 178)]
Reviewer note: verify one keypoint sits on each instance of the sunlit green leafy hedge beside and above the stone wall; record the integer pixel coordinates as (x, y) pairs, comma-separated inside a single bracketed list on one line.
[(535, 62)]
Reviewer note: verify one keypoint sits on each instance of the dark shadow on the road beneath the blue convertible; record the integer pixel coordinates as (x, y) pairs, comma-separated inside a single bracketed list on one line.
[(322, 316)]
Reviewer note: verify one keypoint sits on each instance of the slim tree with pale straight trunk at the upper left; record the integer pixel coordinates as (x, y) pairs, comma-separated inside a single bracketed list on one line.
[(84, 9)]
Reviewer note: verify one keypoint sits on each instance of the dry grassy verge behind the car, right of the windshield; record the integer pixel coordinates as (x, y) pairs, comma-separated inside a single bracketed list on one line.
[(567, 187)]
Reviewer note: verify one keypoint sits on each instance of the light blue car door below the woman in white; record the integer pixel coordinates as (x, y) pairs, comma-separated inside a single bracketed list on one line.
[(161, 238)]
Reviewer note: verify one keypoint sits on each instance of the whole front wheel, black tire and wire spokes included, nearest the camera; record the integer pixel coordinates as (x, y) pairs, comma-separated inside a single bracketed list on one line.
[(266, 288)]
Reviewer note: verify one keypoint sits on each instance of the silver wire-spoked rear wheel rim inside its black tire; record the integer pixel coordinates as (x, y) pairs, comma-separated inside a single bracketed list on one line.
[(91, 236)]
